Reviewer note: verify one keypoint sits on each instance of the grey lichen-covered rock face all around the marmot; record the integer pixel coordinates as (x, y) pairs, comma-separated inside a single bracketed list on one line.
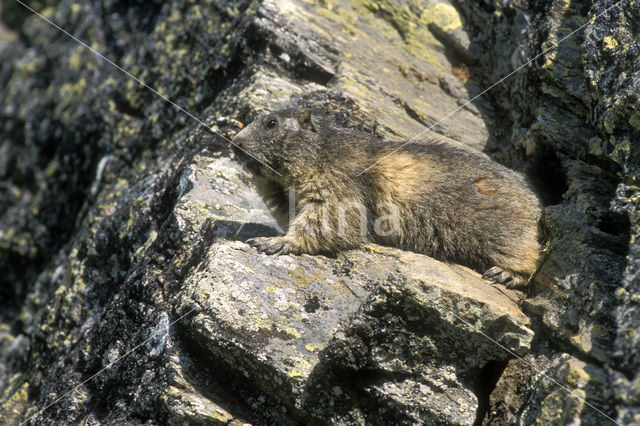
[(128, 295)]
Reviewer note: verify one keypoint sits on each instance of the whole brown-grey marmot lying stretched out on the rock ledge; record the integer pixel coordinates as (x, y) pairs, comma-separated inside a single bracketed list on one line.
[(429, 197)]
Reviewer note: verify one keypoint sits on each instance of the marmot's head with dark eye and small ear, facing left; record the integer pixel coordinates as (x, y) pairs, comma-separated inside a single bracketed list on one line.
[(284, 141)]
